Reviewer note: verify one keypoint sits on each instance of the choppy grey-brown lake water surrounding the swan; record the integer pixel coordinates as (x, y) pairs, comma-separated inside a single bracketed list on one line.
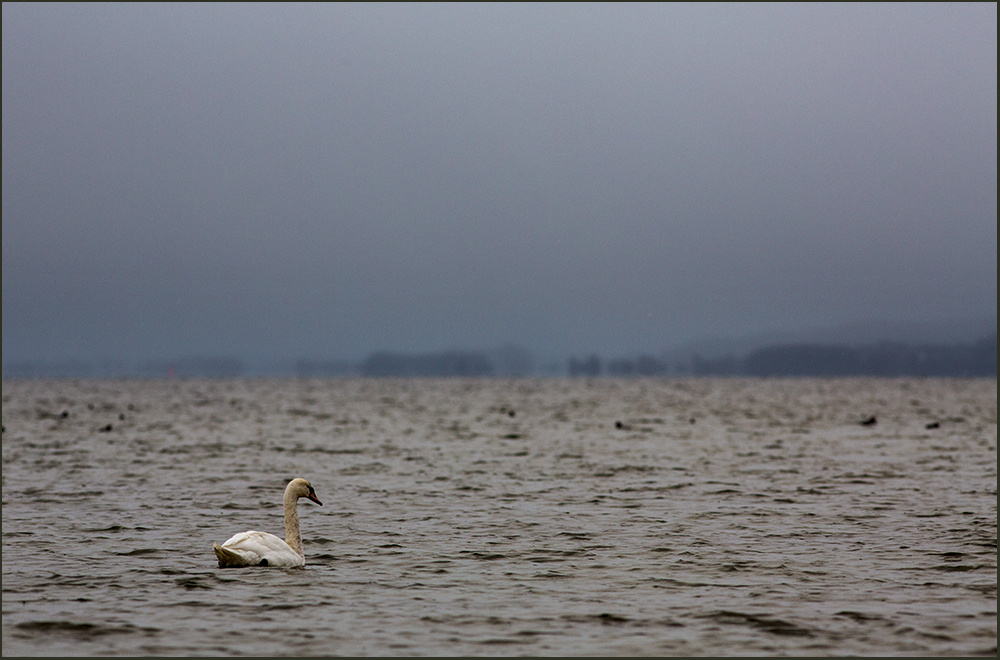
[(504, 517)]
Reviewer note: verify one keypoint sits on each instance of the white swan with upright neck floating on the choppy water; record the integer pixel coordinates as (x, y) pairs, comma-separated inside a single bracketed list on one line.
[(263, 549)]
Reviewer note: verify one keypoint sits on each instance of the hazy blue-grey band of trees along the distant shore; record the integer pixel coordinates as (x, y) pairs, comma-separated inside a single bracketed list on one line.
[(978, 359)]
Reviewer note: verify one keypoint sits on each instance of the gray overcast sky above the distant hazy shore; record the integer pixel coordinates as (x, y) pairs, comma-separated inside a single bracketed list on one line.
[(328, 180)]
